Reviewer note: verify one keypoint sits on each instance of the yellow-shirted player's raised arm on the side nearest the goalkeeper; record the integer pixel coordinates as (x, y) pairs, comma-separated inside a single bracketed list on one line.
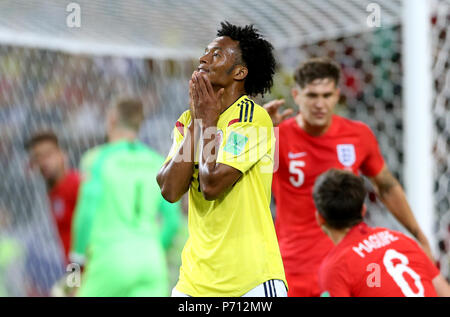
[(175, 175)]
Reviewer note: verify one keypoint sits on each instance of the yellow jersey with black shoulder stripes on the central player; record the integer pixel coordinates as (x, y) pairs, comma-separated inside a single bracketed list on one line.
[(232, 245)]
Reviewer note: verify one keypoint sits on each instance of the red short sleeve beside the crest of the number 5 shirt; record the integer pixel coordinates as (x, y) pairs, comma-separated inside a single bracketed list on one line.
[(374, 161)]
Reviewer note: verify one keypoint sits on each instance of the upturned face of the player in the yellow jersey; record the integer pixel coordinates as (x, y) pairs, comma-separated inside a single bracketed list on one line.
[(219, 60)]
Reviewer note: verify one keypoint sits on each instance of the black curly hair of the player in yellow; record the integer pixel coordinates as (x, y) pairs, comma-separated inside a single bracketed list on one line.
[(256, 55)]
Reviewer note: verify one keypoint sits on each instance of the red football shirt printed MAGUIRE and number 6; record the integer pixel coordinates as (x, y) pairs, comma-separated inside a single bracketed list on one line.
[(376, 262)]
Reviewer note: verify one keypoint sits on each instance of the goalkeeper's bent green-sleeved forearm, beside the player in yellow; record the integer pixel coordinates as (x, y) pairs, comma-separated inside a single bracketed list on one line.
[(171, 220)]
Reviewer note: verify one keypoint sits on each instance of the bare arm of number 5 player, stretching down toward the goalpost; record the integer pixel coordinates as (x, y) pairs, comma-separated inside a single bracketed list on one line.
[(393, 196)]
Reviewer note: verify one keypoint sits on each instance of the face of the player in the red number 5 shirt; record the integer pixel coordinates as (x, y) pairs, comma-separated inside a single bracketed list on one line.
[(317, 101)]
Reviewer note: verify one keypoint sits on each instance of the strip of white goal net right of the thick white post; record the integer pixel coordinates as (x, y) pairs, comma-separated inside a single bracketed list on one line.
[(441, 124)]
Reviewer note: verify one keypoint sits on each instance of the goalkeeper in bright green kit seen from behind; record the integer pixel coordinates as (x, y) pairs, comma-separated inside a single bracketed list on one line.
[(116, 233)]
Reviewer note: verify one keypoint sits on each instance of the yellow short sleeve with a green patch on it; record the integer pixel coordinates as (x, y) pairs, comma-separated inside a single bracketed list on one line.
[(246, 143)]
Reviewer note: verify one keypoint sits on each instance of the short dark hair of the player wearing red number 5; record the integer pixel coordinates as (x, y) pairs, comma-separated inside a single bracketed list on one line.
[(317, 68)]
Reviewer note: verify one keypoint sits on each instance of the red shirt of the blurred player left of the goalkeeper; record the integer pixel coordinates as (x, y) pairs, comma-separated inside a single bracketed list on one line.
[(63, 198)]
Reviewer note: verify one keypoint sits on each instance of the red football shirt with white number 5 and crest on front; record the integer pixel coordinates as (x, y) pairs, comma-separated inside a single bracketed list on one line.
[(347, 144)]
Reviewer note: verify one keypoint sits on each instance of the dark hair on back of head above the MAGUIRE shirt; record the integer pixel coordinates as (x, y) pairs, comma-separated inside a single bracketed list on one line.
[(339, 197)]
